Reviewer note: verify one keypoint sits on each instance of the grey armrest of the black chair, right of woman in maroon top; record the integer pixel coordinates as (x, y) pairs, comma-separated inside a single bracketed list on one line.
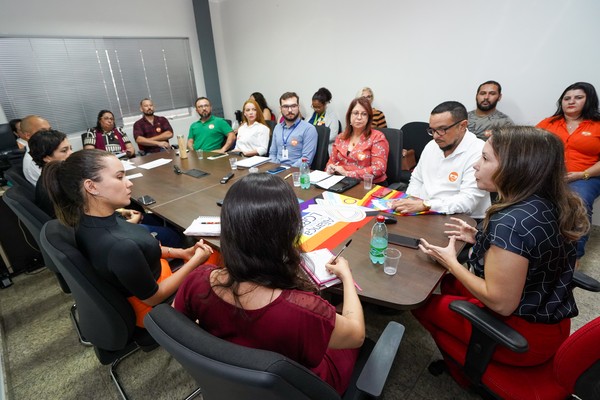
[(377, 368)]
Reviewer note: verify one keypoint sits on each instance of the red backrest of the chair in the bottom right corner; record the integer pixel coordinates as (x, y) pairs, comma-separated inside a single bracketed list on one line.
[(577, 361)]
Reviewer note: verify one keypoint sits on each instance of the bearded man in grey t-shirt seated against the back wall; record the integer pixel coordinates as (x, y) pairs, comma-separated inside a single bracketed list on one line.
[(486, 116)]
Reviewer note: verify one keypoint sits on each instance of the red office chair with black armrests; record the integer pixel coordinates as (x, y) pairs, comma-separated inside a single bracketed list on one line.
[(575, 369)]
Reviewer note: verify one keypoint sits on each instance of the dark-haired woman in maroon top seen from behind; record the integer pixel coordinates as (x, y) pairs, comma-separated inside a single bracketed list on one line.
[(261, 298)]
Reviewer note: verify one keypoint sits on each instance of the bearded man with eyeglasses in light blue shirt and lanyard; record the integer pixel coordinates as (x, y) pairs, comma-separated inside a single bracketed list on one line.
[(293, 138)]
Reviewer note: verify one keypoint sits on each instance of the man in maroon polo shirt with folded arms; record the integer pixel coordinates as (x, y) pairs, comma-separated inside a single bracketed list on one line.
[(152, 132)]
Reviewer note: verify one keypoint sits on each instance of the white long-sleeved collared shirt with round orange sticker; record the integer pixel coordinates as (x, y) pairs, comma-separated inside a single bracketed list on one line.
[(448, 183)]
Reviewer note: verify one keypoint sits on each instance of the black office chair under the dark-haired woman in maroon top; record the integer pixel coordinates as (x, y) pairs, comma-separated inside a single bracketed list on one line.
[(225, 370)]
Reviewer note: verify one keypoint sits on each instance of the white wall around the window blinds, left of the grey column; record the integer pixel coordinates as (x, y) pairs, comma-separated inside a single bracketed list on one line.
[(129, 18)]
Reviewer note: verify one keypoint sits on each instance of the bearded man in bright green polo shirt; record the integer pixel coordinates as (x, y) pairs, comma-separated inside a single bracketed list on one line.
[(210, 133)]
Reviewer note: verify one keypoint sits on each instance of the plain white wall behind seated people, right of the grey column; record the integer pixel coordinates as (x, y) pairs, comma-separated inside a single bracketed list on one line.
[(414, 54)]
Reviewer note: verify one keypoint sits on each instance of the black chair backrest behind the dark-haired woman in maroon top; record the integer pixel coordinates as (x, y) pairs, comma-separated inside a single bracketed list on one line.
[(226, 370)]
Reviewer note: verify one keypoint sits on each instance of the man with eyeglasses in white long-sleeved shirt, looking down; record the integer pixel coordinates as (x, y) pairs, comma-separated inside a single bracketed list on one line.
[(444, 179)]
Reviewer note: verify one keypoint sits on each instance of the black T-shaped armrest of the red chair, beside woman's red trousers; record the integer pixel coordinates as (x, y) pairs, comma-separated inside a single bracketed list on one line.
[(487, 332)]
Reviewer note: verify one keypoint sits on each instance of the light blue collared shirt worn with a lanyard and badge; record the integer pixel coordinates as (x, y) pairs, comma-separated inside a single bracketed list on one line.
[(300, 140)]
